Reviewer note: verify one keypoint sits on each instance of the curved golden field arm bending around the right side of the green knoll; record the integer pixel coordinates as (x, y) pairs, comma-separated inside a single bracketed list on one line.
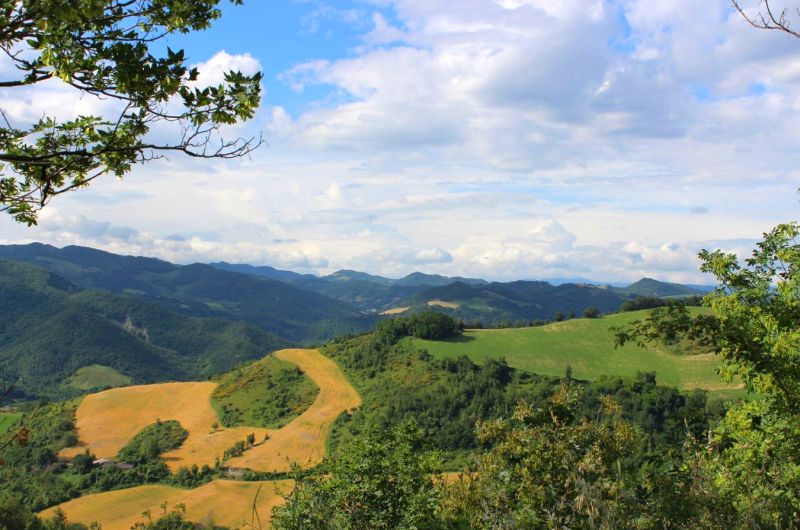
[(303, 440)]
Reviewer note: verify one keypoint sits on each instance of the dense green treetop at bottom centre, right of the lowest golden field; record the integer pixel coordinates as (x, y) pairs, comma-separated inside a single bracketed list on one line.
[(383, 481)]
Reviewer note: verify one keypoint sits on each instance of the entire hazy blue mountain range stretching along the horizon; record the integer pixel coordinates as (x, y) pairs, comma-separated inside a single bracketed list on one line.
[(307, 308)]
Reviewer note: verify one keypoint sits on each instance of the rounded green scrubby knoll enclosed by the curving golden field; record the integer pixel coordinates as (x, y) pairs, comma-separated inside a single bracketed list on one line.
[(267, 393)]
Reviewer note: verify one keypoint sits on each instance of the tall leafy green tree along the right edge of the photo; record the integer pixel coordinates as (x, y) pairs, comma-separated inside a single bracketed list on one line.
[(751, 459)]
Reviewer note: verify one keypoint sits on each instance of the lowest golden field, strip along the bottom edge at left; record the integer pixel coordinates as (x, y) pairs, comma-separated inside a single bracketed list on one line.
[(223, 502)]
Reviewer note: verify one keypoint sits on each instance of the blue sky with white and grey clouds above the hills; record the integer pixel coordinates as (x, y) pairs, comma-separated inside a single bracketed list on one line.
[(503, 139)]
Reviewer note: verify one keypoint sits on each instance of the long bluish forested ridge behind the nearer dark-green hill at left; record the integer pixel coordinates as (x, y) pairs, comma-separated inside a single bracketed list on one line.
[(200, 290)]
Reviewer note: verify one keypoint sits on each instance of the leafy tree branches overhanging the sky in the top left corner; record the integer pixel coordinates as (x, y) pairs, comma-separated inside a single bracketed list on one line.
[(103, 49)]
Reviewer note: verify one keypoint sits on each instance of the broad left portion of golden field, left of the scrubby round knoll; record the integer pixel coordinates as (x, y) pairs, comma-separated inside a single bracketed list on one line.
[(106, 421)]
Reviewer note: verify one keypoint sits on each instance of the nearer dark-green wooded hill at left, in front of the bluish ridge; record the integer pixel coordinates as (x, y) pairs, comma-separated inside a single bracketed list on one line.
[(52, 332)]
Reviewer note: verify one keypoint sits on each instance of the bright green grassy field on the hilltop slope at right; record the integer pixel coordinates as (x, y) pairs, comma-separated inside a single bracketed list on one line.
[(587, 345)]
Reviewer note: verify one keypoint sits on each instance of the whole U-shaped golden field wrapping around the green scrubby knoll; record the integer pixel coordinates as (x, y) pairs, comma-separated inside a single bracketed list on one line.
[(108, 420)]
